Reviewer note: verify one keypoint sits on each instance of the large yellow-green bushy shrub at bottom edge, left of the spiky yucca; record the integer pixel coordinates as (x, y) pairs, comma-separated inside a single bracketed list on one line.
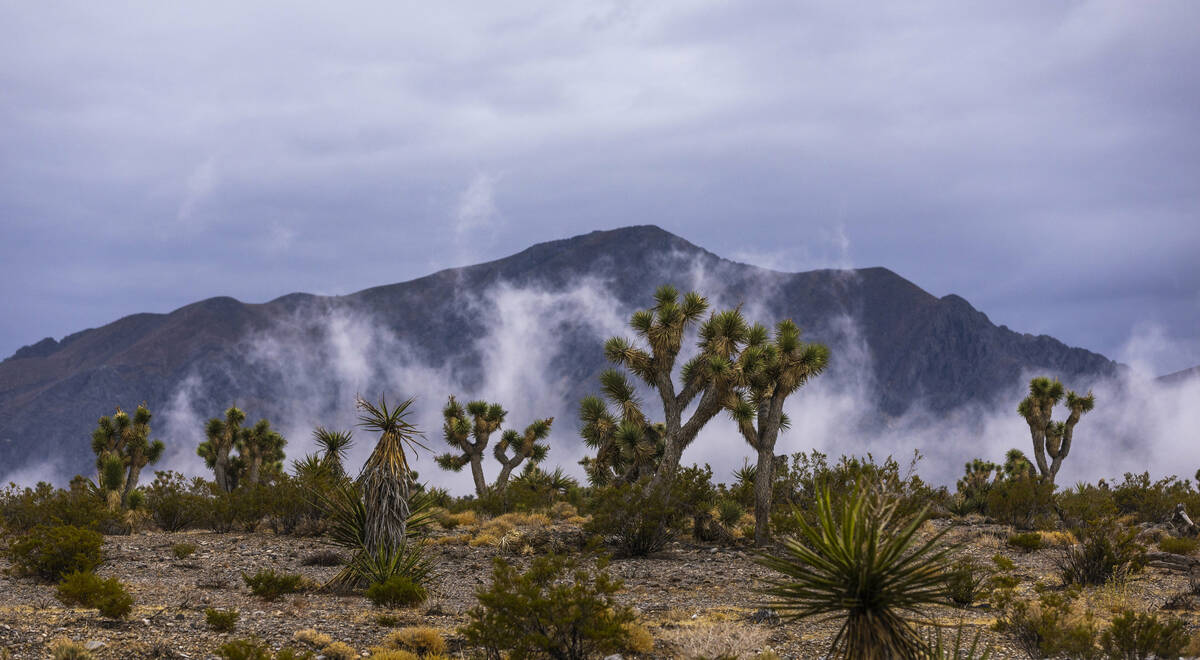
[(556, 608)]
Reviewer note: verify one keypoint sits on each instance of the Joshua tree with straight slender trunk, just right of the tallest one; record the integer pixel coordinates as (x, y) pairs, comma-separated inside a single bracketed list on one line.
[(770, 373)]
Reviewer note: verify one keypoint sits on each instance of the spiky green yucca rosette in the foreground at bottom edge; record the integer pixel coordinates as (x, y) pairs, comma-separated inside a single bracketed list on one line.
[(861, 562)]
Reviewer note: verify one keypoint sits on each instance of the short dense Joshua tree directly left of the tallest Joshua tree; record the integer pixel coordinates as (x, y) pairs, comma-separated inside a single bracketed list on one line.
[(628, 447)]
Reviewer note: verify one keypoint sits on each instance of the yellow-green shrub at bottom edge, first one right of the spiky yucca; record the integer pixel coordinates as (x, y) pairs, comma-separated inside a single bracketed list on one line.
[(1047, 628)]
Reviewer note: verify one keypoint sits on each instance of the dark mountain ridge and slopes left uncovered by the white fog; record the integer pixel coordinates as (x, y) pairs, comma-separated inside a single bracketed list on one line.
[(938, 352)]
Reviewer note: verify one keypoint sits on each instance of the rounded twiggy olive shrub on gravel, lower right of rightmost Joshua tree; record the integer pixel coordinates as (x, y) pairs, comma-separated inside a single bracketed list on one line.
[(1106, 551)]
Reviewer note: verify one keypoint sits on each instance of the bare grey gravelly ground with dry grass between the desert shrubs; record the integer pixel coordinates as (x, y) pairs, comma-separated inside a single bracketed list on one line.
[(692, 598)]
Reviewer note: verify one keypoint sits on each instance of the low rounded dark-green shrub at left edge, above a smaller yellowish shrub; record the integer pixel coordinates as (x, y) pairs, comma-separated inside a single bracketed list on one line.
[(51, 553)]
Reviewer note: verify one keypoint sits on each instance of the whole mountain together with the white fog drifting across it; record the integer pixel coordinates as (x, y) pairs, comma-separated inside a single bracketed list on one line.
[(909, 370)]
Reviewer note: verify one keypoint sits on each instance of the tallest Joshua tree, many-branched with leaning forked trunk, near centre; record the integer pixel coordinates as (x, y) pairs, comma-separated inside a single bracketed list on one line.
[(707, 380)]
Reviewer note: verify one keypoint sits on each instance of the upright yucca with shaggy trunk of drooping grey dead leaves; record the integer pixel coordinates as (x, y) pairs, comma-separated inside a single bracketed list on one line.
[(385, 481)]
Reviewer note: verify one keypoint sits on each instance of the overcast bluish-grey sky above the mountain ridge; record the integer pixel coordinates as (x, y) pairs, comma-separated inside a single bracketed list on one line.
[(1040, 159)]
